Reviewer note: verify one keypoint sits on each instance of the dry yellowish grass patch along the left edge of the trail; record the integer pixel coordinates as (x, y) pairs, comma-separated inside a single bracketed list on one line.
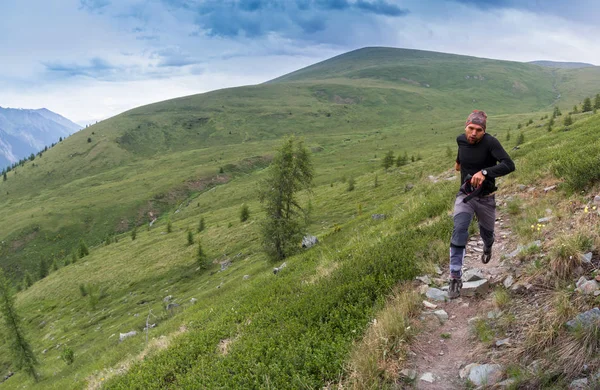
[(378, 358)]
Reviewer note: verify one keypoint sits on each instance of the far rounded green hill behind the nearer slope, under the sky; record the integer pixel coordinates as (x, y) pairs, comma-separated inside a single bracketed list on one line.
[(107, 178)]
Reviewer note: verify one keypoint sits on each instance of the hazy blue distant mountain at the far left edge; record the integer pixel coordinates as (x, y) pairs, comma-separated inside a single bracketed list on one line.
[(26, 131)]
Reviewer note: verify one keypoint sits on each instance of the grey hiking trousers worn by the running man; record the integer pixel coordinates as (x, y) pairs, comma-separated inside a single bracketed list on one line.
[(485, 210)]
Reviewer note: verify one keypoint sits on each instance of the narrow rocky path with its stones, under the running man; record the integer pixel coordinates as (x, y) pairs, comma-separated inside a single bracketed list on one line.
[(443, 354)]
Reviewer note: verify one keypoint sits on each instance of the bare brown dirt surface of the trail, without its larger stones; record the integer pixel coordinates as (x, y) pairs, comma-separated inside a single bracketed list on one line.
[(444, 356)]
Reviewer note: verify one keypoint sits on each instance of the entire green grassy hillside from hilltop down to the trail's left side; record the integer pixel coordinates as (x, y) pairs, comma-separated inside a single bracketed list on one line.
[(201, 156)]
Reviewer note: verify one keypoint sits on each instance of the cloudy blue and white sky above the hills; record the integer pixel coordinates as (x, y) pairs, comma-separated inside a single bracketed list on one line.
[(92, 59)]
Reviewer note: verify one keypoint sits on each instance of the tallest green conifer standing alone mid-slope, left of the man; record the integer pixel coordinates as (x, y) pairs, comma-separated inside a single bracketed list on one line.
[(290, 172)]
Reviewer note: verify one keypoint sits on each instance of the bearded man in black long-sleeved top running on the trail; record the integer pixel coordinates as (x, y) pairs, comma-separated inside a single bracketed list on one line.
[(481, 159)]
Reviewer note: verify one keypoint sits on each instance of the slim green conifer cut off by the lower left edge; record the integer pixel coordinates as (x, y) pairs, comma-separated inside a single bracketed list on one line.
[(23, 356)]
